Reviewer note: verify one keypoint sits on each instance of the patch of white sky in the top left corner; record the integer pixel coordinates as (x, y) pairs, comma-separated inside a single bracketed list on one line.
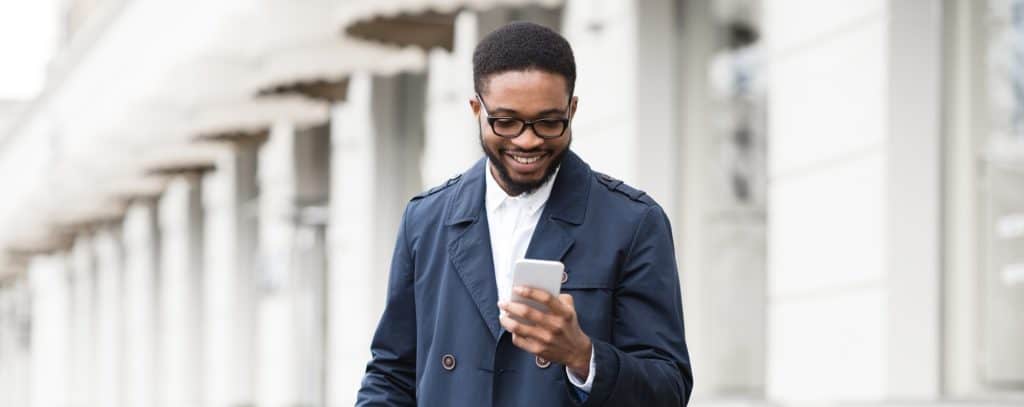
[(28, 36)]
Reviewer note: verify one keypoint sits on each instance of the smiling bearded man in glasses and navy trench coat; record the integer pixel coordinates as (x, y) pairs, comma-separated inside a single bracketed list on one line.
[(614, 338)]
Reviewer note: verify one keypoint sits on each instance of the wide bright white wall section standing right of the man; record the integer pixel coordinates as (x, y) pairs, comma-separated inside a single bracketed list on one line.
[(827, 91)]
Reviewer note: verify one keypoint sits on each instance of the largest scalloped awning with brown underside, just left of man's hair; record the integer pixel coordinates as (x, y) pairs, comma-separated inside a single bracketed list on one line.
[(426, 24)]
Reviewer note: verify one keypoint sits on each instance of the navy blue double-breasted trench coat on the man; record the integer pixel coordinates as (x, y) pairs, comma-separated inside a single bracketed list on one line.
[(440, 342)]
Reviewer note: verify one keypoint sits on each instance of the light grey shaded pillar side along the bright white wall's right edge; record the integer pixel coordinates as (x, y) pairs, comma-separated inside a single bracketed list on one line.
[(914, 200)]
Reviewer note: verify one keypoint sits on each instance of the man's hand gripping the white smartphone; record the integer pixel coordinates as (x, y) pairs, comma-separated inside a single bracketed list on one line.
[(554, 336)]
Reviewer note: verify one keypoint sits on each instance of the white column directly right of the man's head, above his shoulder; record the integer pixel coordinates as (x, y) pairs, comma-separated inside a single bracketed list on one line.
[(625, 126)]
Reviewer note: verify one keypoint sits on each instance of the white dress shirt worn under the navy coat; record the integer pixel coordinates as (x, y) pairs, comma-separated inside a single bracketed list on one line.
[(513, 221)]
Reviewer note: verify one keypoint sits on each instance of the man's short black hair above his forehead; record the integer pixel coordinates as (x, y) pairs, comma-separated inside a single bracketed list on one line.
[(522, 47)]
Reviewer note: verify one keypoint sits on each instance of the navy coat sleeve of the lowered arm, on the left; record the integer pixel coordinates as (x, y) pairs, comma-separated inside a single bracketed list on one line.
[(391, 376)]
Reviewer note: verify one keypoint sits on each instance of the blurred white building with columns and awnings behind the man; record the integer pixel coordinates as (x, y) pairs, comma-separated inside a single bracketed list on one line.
[(199, 199)]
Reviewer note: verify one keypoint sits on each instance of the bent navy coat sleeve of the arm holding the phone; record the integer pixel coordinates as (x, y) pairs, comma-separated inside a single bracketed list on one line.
[(647, 362)]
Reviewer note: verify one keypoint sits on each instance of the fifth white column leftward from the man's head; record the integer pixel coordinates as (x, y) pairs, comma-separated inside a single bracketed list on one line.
[(181, 220)]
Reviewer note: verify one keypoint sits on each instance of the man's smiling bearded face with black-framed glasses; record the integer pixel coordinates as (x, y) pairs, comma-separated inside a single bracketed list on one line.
[(526, 162)]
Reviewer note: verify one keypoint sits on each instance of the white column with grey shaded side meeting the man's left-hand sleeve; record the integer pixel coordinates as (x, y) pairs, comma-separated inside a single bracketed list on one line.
[(376, 147)]
